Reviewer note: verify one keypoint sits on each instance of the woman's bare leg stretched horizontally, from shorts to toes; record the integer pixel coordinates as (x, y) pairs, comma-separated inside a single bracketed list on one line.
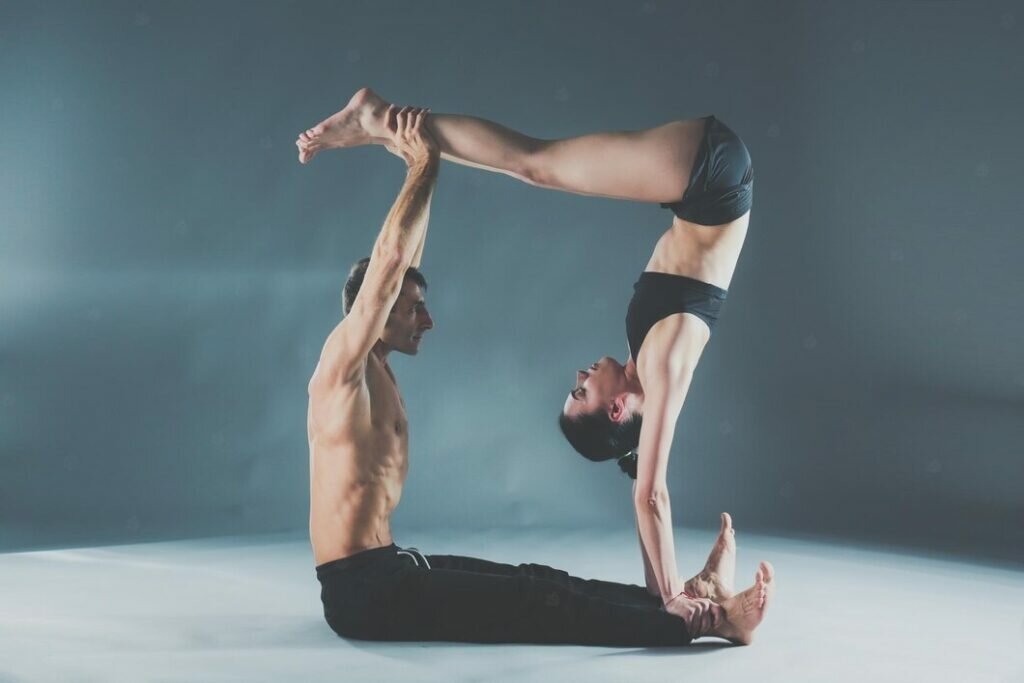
[(651, 165)]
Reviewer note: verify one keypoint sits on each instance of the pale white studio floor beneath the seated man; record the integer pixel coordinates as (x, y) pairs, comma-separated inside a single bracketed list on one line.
[(248, 610)]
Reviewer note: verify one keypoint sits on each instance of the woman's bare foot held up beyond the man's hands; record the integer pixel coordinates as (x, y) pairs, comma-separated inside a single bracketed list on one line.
[(364, 121)]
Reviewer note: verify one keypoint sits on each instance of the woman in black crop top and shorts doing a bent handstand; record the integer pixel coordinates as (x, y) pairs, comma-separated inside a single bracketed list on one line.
[(698, 168)]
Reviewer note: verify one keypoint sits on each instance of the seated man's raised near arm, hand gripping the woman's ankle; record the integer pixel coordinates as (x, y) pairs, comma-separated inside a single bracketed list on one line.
[(400, 243)]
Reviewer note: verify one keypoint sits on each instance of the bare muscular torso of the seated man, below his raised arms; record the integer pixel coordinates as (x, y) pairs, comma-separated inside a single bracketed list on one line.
[(359, 459)]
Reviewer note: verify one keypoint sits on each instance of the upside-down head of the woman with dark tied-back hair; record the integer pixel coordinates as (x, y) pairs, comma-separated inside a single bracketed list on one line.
[(601, 417)]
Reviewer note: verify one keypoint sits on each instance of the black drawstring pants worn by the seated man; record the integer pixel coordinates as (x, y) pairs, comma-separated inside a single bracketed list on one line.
[(395, 594)]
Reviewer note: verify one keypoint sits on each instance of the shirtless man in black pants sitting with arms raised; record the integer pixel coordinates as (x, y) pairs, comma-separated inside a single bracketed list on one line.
[(359, 446)]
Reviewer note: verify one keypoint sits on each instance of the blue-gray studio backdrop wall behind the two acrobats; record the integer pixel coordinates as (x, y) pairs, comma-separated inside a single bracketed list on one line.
[(168, 271)]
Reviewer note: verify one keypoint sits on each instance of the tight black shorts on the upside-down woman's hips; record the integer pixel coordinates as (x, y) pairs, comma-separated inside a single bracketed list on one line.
[(721, 187)]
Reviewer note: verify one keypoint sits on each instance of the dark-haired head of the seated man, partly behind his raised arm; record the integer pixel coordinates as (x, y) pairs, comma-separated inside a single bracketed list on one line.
[(409, 319)]
